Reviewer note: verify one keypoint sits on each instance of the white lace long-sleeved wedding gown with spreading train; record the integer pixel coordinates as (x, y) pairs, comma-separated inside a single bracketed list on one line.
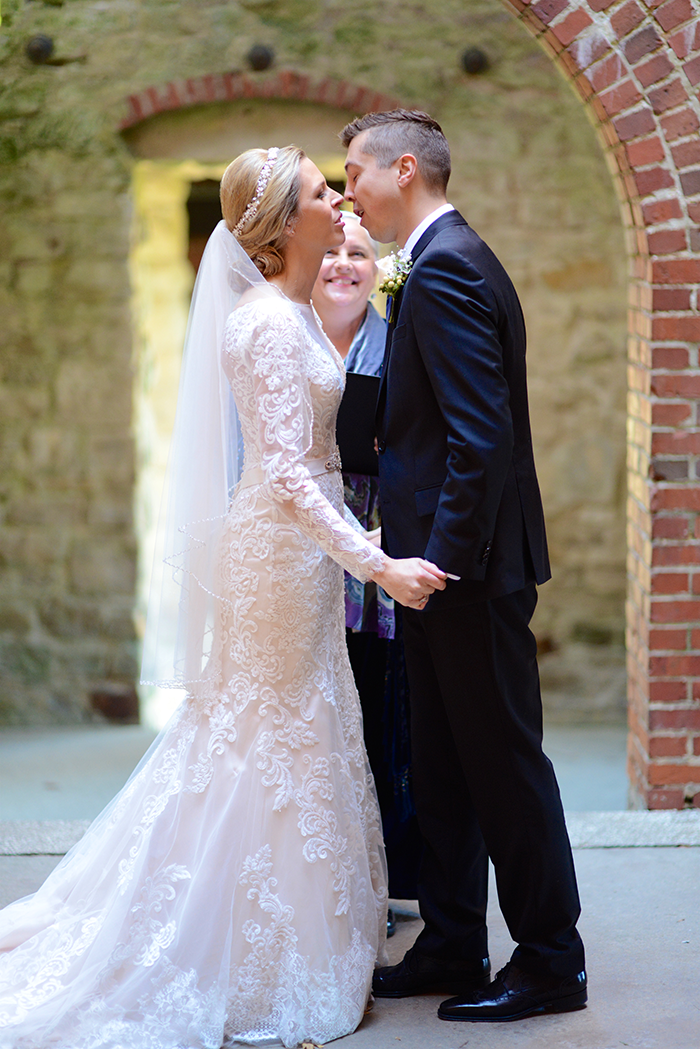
[(235, 891)]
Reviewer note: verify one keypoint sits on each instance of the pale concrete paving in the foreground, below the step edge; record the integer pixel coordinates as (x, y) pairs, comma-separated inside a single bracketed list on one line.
[(641, 923)]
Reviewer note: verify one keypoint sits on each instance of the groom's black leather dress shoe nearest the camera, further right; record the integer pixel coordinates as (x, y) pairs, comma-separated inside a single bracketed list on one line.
[(515, 995)]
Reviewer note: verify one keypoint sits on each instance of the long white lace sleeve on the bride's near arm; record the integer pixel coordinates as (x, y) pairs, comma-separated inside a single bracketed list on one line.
[(285, 421)]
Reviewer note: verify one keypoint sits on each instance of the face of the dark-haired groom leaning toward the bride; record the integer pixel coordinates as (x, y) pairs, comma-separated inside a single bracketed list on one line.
[(373, 191)]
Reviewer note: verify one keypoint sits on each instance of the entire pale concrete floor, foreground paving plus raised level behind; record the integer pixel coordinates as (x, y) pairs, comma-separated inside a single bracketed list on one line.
[(641, 916)]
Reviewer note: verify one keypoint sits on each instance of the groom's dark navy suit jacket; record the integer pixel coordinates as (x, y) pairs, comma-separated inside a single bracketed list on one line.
[(457, 472)]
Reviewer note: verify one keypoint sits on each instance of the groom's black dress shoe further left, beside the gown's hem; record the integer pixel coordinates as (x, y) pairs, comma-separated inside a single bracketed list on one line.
[(419, 975)]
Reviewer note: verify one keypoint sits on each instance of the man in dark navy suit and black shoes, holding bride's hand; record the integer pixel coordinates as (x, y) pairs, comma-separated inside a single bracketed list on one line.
[(459, 488)]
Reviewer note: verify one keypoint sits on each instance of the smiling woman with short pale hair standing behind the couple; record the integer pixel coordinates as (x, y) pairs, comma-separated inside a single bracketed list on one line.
[(342, 298)]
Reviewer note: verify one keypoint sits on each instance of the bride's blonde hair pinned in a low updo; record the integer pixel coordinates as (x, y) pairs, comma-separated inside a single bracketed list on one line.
[(264, 236)]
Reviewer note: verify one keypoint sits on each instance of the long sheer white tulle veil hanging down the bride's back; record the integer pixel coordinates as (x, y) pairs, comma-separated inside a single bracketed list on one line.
[(205, 464)]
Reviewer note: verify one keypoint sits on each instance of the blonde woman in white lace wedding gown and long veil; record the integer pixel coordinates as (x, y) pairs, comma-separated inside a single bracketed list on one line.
[(235, 892)]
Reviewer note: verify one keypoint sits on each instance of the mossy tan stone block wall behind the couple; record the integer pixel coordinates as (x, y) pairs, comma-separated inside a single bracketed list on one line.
[(529, 177)]
